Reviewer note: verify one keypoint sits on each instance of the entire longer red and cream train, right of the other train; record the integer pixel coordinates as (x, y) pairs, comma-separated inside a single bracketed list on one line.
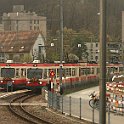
[(73, 75)]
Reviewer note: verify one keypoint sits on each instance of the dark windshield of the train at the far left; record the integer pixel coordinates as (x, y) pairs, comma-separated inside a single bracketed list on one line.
[(8, 72)]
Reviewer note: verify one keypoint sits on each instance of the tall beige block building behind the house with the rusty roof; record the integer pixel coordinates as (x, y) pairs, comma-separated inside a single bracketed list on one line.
[(20, 20)]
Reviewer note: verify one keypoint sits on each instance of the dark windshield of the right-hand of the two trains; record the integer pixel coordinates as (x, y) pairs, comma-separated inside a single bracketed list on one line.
[(37, 73)]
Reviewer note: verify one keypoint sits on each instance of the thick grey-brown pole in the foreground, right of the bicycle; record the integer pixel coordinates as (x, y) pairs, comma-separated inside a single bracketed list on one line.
[(102, 85)]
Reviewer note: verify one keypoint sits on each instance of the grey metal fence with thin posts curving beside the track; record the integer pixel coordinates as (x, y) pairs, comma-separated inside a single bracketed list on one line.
[(77, 107)]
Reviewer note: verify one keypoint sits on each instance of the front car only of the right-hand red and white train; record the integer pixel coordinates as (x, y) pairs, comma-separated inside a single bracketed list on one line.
[(38, 75)]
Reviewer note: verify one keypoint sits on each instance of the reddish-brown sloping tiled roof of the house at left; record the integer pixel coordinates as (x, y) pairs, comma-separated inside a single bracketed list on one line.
[(11, 42)]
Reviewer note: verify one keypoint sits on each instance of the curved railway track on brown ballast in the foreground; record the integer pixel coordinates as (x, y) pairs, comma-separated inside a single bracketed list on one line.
[(20, 111)]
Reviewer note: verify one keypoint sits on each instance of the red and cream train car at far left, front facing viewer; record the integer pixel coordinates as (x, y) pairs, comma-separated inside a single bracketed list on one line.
[(12, 75)]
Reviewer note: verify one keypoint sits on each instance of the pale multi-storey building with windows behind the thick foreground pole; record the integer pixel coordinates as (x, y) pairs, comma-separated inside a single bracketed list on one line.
[(113, 52)]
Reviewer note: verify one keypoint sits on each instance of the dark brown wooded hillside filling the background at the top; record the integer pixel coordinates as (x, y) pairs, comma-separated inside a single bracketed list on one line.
[(78, 14)]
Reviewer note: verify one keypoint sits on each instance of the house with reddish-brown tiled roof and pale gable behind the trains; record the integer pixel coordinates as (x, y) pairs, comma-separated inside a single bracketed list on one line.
[(22, 46)]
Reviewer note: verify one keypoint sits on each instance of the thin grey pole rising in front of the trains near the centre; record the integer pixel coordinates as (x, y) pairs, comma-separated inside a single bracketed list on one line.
[(61, 39)]
